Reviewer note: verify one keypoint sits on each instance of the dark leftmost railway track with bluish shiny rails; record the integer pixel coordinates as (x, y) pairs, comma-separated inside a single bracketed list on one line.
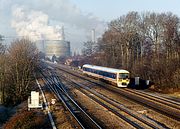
[(84, 120)]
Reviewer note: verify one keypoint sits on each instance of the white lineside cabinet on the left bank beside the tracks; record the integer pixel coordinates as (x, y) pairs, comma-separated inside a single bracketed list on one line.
[(33, 100)]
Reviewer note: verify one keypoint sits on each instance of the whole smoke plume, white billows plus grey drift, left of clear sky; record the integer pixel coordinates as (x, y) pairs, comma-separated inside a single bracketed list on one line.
[(39, 18)]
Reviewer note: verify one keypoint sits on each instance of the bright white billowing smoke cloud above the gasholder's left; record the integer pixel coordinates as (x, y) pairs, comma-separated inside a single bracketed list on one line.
[(34, 24)]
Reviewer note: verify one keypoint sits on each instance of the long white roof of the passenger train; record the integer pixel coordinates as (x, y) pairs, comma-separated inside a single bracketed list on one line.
[(112, 70)]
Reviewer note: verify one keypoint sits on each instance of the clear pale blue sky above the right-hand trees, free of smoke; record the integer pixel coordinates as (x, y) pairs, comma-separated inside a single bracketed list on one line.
[(110, 9)]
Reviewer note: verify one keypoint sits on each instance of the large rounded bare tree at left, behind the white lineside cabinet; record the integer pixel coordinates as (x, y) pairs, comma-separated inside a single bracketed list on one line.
[(22, 61)]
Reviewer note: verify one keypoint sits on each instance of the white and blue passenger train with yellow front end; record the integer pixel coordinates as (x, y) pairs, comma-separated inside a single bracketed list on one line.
[(119, 77)]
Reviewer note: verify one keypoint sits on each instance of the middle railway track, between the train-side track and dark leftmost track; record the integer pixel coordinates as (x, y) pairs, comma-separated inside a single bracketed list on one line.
[(135, 119)]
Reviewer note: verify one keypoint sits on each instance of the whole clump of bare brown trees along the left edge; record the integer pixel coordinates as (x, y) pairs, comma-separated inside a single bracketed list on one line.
[(17, 64)]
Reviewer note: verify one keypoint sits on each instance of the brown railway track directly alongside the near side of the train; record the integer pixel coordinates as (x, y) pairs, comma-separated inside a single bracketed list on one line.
[(165, 106)]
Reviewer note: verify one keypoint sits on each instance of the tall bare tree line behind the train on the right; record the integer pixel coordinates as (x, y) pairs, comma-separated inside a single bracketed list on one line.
[(147, 44)]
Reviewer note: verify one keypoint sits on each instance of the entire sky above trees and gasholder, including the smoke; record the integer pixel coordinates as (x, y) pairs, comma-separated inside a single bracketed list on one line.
[(43, 19)]
